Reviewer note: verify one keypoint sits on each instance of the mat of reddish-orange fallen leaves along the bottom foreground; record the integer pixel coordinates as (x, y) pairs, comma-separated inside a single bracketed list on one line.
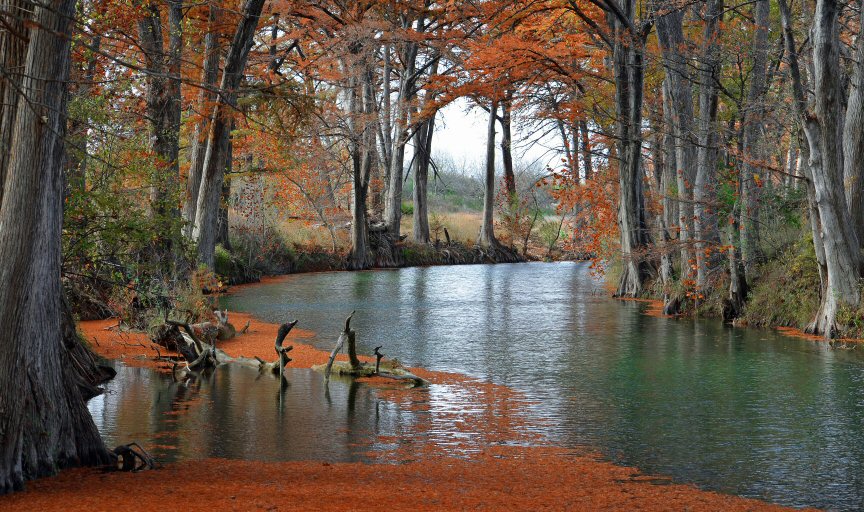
[(503, 479)]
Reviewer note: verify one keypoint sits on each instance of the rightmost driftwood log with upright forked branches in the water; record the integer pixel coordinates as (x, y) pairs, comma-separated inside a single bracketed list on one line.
[(354, 368)]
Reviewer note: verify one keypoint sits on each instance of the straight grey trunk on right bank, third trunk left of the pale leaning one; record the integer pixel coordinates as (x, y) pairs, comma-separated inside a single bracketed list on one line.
[(705, 188)]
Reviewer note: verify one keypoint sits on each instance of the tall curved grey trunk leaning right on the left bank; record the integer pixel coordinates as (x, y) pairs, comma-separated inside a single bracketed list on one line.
[(215, 160)]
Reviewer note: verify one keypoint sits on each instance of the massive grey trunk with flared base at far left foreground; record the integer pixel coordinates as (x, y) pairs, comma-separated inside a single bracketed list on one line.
[(44, 423)]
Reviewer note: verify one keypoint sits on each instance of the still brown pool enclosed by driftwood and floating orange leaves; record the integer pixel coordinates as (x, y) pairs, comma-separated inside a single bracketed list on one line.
[(234, 412)]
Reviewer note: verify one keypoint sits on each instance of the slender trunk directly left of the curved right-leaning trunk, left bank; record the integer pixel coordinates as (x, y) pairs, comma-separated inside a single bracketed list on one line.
[(207, 96)]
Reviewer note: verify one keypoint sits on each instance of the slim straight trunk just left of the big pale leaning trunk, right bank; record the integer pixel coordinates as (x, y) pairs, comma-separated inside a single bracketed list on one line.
[(753, 120)]
